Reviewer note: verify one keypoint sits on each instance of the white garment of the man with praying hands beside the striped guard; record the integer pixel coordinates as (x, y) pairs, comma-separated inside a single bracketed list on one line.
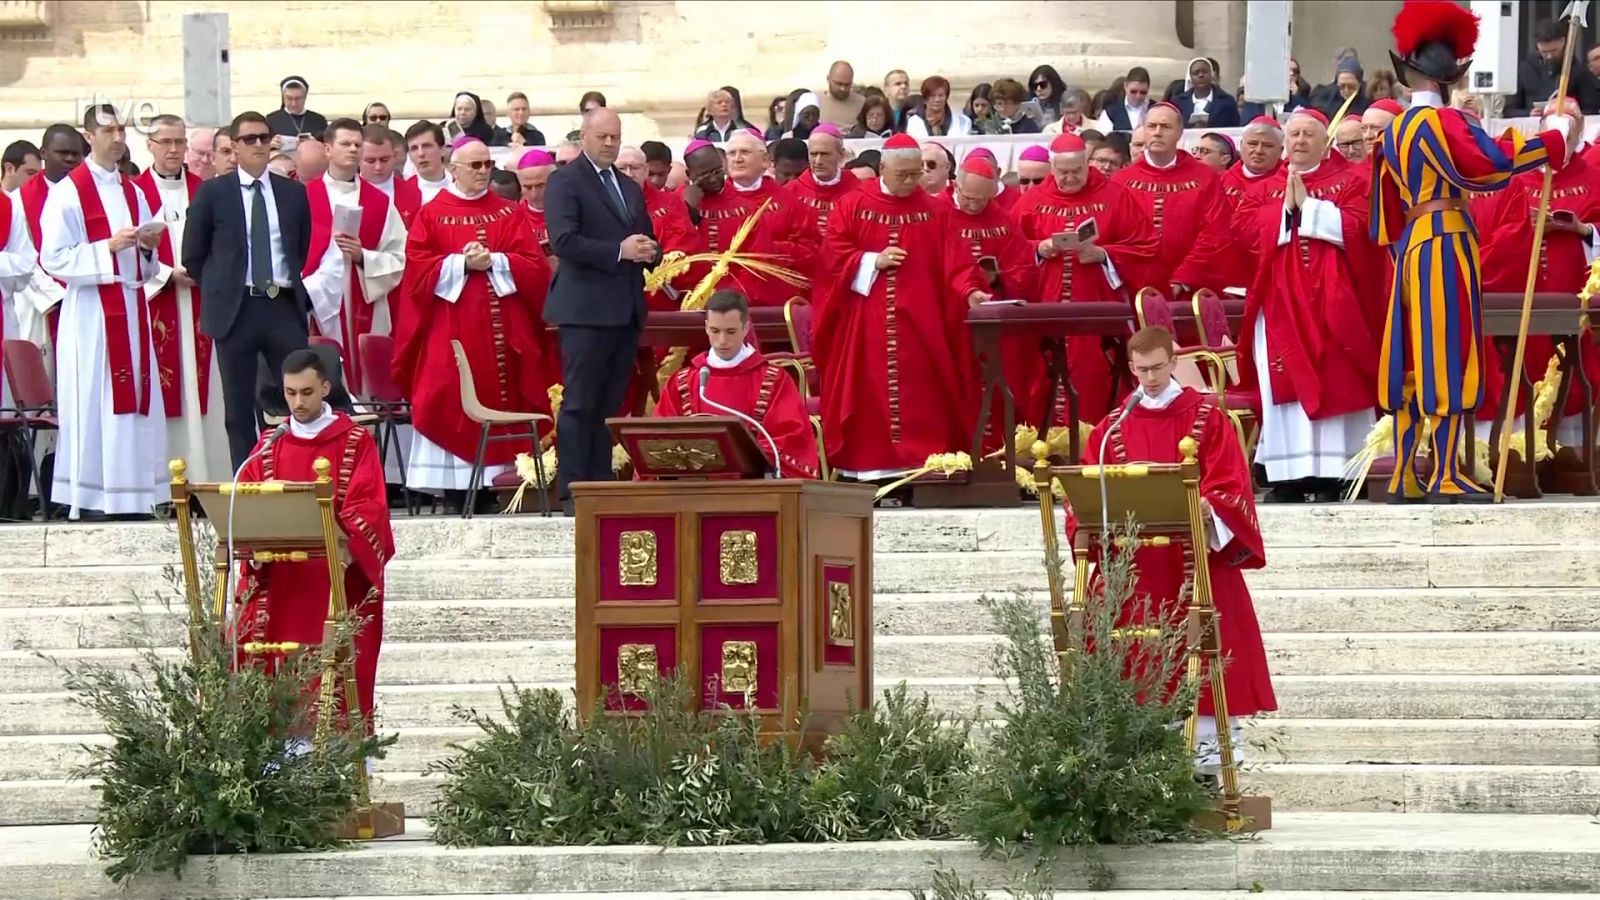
[(1294, 446)]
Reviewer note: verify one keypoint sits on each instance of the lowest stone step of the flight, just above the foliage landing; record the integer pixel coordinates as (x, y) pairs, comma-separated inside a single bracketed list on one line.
[(1524, 790)]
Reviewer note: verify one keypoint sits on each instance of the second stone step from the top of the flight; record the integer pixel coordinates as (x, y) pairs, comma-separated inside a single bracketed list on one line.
[(993, 573)]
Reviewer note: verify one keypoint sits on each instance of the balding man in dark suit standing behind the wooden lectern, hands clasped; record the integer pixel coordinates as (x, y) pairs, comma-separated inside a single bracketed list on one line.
[(601, 233)]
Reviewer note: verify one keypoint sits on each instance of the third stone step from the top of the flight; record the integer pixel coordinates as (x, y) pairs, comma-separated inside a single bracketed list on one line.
[(551, 619)]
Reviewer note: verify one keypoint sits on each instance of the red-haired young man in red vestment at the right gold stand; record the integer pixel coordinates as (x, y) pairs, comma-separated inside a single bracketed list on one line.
[(1164, 416)]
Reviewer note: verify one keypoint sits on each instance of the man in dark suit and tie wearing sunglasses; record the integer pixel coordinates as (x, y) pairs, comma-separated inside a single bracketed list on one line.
[(246, 246)]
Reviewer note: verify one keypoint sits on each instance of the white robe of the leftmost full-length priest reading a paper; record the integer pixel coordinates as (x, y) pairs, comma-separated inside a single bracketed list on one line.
[(106, 462)]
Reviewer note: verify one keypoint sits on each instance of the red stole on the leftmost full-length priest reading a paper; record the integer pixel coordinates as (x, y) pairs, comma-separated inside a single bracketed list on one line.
[(114, 310)]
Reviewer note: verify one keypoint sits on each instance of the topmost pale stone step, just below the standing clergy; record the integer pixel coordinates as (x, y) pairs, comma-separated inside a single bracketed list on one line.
[(961, 531)]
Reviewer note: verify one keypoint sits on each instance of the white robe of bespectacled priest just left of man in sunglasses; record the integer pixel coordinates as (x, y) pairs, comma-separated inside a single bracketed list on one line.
[(198, 440)]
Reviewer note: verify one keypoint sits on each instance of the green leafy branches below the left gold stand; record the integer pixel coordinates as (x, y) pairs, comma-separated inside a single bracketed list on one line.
[(198, 760)]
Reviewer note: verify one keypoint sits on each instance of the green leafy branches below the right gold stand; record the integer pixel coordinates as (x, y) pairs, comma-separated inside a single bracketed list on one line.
[(1090, 752)]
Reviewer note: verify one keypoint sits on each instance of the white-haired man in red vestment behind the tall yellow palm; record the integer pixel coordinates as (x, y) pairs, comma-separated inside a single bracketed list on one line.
[(724, 201)]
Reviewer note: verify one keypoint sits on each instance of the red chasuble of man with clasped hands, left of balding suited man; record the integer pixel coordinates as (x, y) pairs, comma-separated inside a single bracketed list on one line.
[(514, 363)]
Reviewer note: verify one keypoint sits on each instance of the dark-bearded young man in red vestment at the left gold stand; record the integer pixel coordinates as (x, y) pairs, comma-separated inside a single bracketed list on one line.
[(289, 601)]
